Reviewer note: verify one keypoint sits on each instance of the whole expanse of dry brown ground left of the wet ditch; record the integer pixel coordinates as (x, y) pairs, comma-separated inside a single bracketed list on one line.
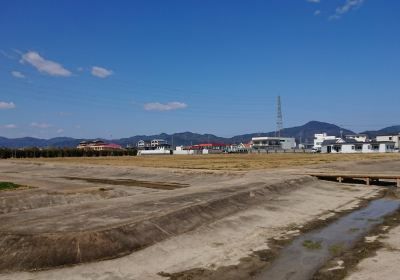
[(153, 217)]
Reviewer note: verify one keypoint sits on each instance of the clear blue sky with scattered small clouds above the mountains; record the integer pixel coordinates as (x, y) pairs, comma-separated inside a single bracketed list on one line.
[(122, 68)]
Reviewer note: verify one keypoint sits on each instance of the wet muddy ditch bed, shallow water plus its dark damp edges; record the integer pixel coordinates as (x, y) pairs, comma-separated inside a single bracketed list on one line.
[(338, 240)]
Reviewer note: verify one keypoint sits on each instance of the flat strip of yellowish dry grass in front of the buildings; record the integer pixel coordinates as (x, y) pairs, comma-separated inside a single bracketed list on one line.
[(222, 162)]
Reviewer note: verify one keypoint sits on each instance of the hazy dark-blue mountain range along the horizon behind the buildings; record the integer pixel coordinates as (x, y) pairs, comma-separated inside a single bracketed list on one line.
[(304, 133)]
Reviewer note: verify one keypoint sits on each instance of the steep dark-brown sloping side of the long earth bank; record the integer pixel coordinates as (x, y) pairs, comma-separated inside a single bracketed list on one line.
[(40, 251)]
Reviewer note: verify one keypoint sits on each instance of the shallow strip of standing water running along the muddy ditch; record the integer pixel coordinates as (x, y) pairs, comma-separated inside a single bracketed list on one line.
[(309, 252)]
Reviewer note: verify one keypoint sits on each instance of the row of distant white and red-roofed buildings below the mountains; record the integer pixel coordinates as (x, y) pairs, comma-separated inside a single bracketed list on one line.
[(323, 143)]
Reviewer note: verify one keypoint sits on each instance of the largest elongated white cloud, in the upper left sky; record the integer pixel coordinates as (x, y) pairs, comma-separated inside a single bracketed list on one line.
[(44, 66)]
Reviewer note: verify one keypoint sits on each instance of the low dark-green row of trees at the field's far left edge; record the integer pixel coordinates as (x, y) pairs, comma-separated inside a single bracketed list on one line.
[(61, 152)]
